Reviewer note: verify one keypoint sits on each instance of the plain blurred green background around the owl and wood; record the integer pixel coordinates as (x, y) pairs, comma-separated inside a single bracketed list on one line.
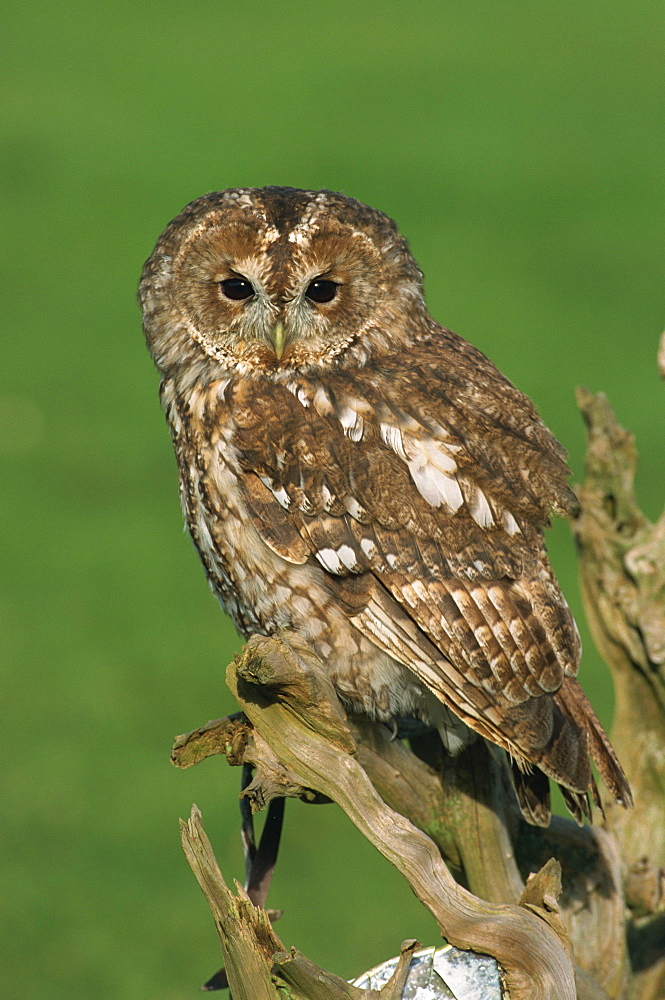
[(517, 146)]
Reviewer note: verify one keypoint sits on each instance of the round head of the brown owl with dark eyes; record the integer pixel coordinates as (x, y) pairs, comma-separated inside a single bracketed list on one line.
[(270, 279)]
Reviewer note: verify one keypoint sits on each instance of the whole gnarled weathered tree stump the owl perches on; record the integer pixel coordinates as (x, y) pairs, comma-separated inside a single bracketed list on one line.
[(449, 825)]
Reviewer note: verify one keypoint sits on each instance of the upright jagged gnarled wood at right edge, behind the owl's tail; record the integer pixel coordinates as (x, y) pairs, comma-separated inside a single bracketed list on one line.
[(622, 573)]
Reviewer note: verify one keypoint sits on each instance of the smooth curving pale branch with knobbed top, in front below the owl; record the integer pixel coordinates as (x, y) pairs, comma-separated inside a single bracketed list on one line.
[(533, 956)]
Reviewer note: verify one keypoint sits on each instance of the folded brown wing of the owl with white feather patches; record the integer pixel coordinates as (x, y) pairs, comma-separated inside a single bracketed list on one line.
[(433, 487)]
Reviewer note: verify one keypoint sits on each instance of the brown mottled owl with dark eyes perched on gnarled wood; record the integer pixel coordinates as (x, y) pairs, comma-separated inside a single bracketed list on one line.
[(354, 472)]
